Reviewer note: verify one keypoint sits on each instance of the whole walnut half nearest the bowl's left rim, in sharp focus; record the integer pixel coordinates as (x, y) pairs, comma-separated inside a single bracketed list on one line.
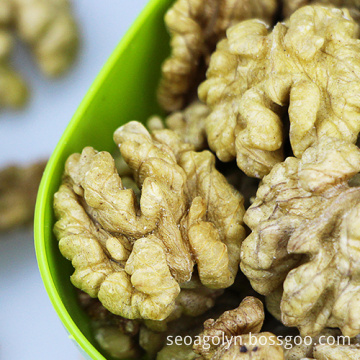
[(134, 255)]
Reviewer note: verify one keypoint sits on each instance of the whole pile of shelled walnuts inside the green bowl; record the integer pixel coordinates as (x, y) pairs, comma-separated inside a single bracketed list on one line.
[(256, 169)]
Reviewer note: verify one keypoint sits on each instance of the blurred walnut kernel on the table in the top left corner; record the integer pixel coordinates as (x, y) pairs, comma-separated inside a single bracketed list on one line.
[(48, 28)]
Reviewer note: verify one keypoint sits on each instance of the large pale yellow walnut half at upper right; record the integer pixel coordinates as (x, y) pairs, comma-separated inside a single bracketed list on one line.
[(307, 66)]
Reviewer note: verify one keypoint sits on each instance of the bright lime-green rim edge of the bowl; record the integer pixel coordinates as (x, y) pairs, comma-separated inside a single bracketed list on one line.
[(40, 239)]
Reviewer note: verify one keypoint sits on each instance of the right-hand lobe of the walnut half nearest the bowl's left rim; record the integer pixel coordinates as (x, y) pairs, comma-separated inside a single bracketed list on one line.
[(216, 206)]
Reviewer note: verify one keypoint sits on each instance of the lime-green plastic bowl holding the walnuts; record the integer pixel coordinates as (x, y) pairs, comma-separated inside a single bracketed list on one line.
[(124, 90)]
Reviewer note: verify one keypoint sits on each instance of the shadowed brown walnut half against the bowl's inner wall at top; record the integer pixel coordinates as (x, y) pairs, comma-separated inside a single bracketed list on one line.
[(195, 27)]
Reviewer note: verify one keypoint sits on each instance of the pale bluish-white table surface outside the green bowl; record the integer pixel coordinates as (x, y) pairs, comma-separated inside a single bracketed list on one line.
[(29, 326)]
